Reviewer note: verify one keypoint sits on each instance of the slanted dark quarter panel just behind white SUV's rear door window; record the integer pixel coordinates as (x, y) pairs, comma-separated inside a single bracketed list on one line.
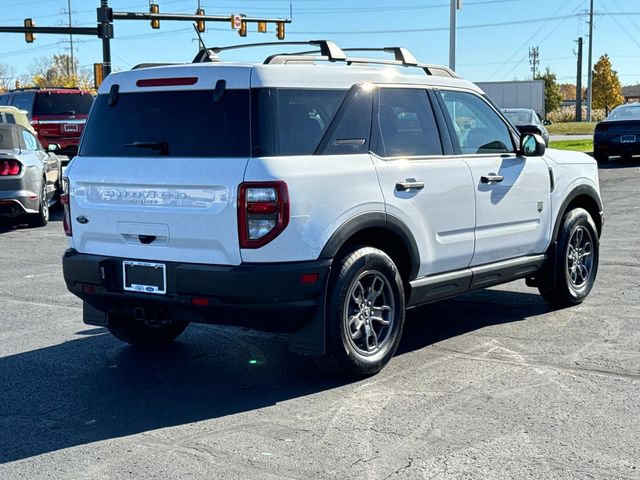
[(352, 129)]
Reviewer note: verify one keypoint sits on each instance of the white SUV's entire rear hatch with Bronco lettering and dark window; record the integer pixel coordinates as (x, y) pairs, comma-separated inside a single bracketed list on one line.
[(159, 166)]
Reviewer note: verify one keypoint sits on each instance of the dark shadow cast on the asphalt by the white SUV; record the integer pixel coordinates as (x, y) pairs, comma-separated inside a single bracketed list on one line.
[(95, 388)]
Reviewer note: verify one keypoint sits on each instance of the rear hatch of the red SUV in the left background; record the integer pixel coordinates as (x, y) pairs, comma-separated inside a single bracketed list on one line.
[(59, 115)]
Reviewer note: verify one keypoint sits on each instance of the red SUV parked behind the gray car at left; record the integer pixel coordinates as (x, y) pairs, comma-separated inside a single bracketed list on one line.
[(57, 114)]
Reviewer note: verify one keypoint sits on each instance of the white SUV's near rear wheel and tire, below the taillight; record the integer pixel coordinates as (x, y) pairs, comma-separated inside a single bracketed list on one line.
[(365, 314)]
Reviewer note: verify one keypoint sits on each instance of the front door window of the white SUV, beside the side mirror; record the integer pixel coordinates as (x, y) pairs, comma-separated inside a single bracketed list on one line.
[(479, 129)]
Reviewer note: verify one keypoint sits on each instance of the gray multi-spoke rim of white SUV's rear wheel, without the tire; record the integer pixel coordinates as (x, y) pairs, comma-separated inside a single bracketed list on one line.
[(369, 312)]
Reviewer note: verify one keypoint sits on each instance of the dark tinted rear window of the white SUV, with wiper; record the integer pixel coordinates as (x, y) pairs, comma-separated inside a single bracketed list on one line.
[(173, 123)]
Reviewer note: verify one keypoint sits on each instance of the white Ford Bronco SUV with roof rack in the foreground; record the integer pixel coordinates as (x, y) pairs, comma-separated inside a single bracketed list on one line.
[(315, 194)]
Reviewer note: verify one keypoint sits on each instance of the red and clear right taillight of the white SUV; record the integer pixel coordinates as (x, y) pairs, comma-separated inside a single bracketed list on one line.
[(263, 212)]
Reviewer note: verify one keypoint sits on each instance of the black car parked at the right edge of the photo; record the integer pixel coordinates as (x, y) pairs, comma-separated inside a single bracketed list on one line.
[(618, 134)]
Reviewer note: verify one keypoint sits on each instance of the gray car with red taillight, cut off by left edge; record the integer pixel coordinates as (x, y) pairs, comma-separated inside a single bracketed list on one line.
[(29, 176)]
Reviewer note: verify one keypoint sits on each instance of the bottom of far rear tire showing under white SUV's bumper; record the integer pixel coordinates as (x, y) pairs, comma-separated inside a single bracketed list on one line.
[(138, 333)]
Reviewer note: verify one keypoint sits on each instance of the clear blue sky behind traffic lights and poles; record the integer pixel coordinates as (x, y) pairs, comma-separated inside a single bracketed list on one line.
[(494, 36)]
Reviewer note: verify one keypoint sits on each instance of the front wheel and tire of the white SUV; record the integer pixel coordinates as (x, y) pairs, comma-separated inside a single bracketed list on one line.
[(576, 265)]
